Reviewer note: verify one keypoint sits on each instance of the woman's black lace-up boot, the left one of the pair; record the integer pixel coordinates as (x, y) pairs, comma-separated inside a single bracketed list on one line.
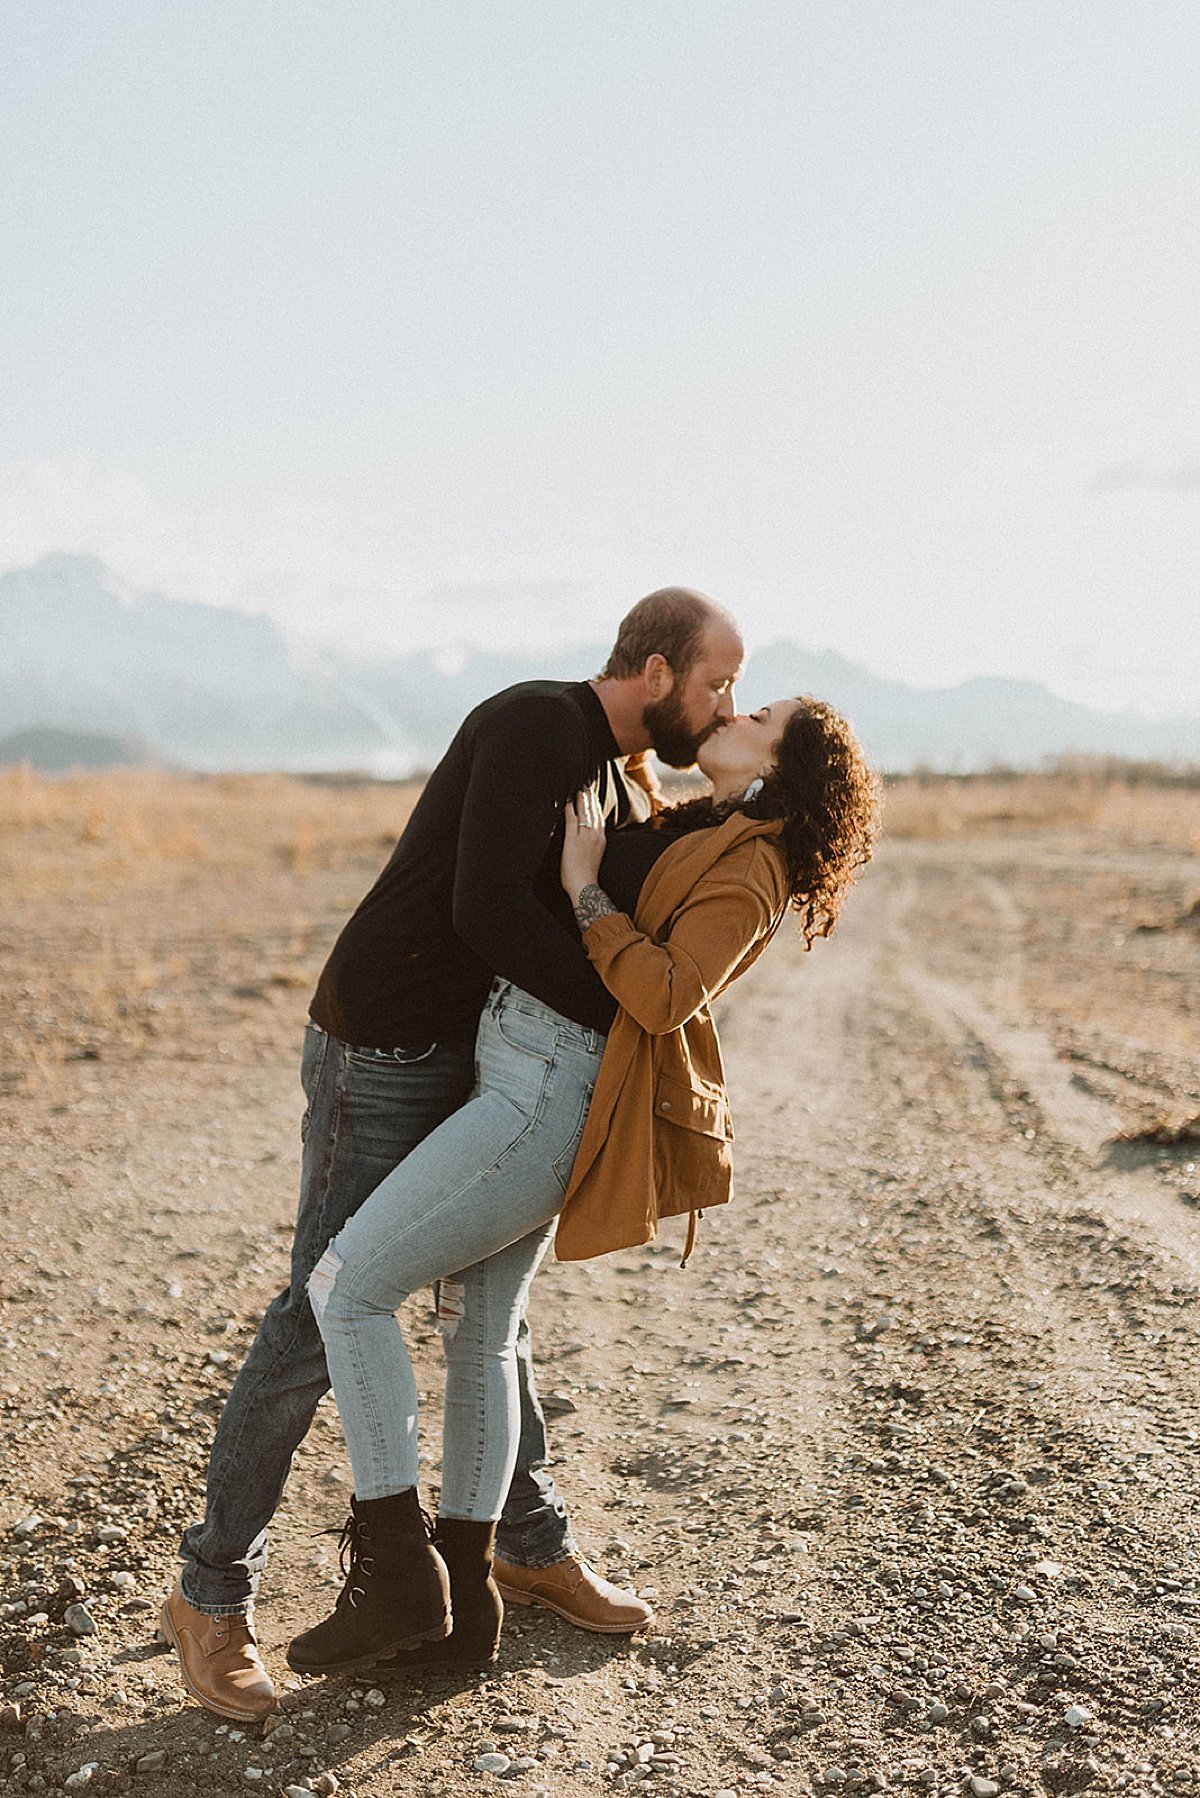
[(397, 1590)]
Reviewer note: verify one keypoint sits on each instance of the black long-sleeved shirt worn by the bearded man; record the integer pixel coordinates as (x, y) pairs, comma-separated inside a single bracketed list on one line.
[(472, 887)]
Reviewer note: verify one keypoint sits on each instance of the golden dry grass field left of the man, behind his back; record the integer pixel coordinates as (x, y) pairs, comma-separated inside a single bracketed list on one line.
[(130, 900)]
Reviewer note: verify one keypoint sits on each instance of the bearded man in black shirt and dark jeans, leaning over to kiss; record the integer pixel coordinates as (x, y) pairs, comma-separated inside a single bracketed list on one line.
[(470, 893)]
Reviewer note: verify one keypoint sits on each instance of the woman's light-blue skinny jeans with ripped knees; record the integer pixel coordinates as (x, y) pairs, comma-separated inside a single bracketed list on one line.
[(474, 1209)]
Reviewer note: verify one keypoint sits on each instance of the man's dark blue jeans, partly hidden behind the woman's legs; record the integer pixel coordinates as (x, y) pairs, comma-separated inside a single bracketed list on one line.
[(366, 1112)]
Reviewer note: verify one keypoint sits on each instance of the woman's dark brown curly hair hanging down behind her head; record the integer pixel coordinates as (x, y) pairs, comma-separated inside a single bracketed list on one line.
[(828, 801)]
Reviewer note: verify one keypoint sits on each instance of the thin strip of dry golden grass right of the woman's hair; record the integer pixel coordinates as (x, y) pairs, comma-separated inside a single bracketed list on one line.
[(1125, 814)]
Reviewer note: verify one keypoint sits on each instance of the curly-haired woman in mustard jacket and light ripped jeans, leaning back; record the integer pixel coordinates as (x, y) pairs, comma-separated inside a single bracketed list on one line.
[(670, 916)]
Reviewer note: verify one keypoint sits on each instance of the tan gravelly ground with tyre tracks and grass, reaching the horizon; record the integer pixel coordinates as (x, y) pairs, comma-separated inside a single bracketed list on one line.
[(908, 1457)]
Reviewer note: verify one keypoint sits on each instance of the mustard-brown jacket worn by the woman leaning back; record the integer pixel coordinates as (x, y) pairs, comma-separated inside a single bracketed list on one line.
[(658, 1137)]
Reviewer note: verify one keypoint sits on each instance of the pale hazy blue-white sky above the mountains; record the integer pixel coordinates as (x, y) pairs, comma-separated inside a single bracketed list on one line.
[(877, 319)]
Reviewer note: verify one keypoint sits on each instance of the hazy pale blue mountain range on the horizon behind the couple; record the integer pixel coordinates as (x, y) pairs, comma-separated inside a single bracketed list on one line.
[(210, 690)]
